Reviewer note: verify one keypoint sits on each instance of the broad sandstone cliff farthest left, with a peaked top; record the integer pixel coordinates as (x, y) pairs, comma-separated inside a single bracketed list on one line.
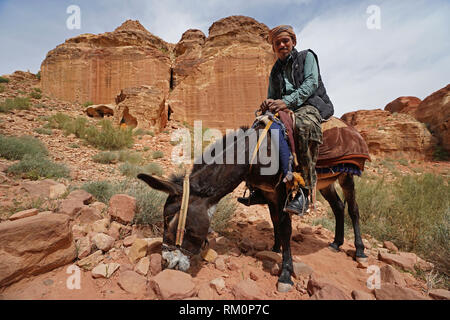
[(96, 67)]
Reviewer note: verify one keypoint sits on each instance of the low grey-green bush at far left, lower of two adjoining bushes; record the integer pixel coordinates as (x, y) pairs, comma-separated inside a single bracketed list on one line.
[(35, 167)]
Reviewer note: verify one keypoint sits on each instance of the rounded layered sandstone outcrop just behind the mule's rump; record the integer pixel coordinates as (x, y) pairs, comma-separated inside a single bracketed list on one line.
[(396, 135)]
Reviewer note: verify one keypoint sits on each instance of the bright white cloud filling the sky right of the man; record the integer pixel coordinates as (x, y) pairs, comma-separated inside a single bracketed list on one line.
[(366, 69)]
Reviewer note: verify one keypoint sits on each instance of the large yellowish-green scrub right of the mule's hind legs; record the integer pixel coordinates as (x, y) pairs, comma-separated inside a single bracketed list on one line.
[(413, 212)]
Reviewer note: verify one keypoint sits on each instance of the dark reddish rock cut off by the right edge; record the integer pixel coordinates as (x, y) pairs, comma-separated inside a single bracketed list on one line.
[(434, 110)]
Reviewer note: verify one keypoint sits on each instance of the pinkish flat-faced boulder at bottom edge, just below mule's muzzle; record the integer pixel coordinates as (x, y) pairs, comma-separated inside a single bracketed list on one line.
[(173, 285)]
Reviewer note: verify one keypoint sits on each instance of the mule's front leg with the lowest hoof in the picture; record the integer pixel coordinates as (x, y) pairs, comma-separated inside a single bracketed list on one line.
[(284, 281)]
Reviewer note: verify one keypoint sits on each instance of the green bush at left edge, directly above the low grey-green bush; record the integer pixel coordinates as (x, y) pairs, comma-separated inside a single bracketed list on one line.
[(15, 148)]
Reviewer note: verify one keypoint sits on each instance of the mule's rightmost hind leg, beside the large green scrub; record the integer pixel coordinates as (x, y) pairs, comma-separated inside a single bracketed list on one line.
[(348, 186)]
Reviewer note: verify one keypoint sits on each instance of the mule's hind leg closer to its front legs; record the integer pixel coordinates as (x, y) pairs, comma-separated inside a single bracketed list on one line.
[(330, 194)]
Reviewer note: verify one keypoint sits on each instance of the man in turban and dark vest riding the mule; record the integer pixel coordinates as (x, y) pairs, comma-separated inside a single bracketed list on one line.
[(295, 85)]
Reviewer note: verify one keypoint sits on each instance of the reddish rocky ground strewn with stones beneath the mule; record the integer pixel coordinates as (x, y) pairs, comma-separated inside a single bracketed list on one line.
[(83, 249)]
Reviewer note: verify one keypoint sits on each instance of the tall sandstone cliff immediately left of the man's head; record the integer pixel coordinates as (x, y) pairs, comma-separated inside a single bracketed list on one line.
[(225, 74)]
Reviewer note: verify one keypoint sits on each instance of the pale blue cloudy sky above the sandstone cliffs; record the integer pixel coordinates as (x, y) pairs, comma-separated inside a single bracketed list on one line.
[(370, 52)]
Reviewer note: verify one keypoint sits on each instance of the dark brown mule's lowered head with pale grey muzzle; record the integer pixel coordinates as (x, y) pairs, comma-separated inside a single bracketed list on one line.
[(196, 227)]
